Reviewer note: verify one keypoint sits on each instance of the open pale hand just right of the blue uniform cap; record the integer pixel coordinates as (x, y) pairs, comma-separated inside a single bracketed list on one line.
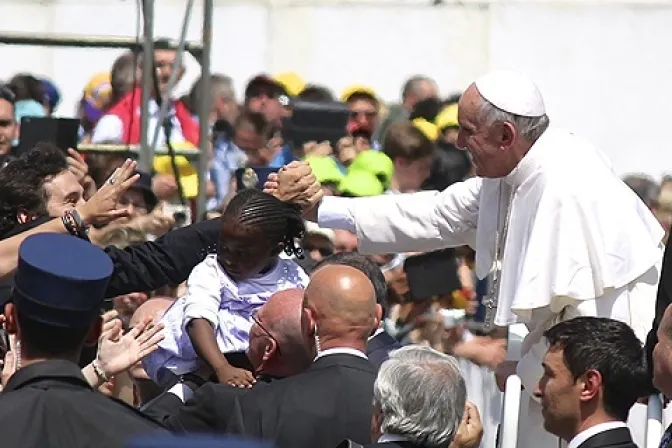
[(118, 353)]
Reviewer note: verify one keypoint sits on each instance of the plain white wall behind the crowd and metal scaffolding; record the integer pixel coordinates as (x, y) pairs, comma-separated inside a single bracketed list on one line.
[(604, 67)]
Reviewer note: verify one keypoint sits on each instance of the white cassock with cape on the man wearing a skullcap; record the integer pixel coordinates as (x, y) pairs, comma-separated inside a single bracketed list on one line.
[(579, 243)]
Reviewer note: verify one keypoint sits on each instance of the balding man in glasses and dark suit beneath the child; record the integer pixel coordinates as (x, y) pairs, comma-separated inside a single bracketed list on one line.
[(276, 350)]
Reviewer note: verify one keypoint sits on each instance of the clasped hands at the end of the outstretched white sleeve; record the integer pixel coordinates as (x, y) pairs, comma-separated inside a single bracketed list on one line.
[(297, 184)]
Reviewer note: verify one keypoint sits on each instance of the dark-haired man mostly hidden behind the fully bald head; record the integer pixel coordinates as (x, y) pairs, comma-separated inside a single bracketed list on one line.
[(380, 344)]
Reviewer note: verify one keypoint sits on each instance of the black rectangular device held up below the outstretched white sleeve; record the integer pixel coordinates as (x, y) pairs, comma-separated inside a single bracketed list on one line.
[(432, 274)]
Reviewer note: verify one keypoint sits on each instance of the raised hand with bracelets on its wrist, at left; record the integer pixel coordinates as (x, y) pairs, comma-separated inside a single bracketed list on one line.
[(102, 207)]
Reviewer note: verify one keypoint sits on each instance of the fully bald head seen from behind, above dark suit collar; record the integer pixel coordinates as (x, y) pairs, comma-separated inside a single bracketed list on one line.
[(341, 303)]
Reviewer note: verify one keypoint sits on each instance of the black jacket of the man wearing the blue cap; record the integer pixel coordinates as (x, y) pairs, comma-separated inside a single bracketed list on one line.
[(50, 404)]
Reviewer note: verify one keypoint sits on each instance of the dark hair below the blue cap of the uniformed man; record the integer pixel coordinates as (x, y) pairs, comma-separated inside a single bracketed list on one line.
[(42, 340)]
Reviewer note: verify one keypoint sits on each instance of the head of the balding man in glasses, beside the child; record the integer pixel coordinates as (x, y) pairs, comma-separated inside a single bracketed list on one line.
[(277, 346)]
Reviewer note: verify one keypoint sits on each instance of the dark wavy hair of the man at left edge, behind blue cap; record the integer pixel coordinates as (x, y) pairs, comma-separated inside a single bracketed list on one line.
[(22, 183)]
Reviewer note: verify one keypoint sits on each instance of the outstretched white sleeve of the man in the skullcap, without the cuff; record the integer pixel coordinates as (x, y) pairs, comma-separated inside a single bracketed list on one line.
[(421, 221)]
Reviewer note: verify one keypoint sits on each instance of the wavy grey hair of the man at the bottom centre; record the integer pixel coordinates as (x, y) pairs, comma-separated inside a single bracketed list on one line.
[(421, 395)]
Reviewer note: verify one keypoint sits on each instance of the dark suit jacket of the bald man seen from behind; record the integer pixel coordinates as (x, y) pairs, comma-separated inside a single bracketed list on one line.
[(328, 403)]
